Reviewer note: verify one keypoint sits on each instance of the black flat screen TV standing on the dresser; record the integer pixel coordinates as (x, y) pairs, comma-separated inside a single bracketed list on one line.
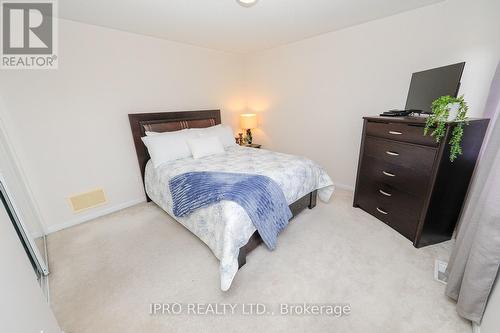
[(428, 85)]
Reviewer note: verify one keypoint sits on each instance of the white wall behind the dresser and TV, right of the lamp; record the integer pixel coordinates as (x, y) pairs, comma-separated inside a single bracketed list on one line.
[(312, 94)]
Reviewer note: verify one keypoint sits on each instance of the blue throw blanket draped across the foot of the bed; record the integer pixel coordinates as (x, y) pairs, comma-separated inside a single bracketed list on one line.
[(260, 196)]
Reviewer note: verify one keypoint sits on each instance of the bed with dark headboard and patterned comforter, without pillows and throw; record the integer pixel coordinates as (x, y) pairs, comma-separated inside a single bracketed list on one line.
[(225, 227)]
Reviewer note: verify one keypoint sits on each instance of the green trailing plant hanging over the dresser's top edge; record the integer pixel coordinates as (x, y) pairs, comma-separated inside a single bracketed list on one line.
[(437, 122)]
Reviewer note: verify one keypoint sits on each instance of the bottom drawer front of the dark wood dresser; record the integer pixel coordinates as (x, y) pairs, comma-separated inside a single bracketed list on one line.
[(398, 209)]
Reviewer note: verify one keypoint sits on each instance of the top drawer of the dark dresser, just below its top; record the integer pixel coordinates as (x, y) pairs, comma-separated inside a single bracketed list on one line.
[(400, 132)]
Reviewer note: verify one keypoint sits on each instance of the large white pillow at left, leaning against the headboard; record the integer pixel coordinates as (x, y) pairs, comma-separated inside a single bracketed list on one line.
[(168, 146)]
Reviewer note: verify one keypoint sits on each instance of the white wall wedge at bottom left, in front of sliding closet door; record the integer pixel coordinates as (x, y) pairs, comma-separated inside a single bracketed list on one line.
[(22, 304)]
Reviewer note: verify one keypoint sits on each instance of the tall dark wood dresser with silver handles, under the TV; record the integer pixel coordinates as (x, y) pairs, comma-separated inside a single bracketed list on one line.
[(406, 179)]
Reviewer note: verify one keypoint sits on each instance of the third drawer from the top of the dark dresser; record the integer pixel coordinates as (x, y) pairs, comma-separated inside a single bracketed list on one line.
[(413, 181)]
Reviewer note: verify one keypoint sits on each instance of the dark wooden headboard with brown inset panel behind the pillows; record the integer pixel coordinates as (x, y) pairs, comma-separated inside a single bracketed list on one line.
[(166, 122)]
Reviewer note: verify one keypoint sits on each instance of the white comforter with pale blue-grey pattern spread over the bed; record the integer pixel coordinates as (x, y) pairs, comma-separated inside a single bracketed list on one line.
[(225, 226)]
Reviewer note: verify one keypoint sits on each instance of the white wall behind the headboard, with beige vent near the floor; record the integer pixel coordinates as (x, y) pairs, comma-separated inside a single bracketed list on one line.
[(70, 128)]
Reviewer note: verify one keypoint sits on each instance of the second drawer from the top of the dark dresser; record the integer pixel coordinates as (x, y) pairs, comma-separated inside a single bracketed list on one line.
[(401, 154)]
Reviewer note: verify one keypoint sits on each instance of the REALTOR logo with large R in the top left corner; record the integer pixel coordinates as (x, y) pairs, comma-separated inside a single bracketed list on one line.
[(29, 35)]
